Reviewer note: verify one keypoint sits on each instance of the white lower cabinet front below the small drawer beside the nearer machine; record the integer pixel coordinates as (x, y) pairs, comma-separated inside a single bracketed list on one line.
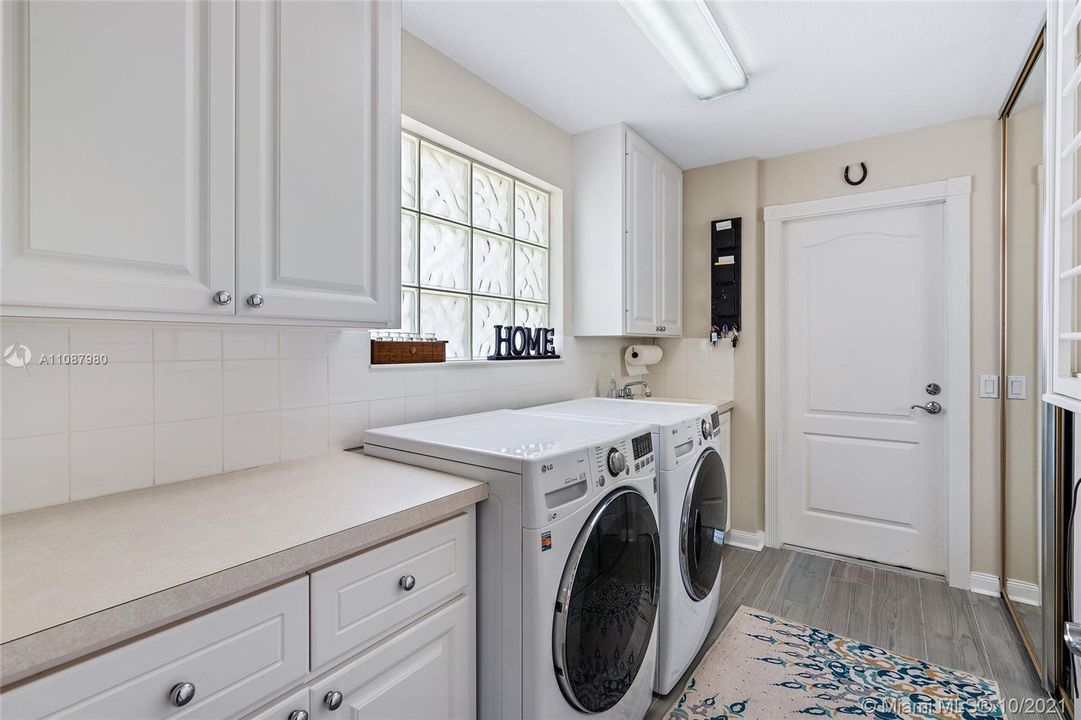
[(423, 673)]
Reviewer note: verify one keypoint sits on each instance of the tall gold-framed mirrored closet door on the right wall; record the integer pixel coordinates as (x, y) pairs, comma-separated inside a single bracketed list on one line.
[(1020, 452)]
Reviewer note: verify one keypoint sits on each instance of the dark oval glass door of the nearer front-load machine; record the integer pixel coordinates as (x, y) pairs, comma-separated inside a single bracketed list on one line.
[(608, 603)]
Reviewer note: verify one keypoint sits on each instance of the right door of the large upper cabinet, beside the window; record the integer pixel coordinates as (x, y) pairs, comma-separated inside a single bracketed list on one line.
[(318, 174)]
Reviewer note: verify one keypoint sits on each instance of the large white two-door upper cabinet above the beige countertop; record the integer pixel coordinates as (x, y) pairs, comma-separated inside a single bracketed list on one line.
[(202, 162)]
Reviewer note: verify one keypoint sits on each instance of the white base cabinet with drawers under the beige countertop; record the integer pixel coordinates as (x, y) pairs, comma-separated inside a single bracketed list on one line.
[(392, 631)]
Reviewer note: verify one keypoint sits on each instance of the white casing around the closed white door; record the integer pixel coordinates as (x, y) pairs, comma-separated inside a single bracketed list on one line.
[(956, 195)]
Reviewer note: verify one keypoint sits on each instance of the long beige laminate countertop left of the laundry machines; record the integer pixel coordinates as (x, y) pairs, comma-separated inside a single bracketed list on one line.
[(79, 578)]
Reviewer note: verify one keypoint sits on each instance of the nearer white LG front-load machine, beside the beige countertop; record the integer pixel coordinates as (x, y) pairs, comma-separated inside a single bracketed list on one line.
[(569, 562)]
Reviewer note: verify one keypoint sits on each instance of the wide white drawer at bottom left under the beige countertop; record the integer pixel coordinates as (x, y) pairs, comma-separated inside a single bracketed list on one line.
[(235, 658)]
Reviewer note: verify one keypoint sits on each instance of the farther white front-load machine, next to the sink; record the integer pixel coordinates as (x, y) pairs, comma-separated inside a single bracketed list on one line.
[(695, 516)]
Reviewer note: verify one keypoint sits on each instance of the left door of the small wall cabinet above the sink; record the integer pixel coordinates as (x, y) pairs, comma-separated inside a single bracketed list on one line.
[(643, 238)]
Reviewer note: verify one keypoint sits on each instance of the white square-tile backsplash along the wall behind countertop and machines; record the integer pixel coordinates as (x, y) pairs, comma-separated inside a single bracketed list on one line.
[(182, 403)]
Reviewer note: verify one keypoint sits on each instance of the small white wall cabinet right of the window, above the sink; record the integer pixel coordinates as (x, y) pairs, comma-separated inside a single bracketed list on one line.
[(629, 236)]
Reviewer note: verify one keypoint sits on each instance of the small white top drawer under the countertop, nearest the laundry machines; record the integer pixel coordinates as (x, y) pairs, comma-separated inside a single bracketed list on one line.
[(358, 601)]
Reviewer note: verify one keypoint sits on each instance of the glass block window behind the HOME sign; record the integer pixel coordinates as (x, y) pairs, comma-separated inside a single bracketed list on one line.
[(475, 249)]
